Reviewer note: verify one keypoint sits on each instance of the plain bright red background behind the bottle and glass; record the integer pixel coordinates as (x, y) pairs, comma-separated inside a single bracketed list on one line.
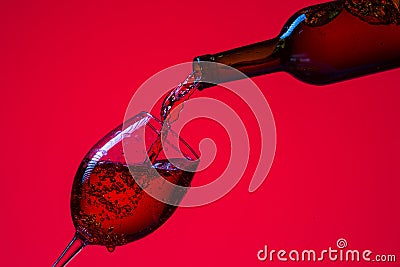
[(68, 70)]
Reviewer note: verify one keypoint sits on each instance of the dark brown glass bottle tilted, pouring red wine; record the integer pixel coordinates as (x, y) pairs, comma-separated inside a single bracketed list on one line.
[(321, 44)]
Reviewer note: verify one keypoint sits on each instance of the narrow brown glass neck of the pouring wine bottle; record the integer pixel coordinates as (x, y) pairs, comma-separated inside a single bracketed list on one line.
[(252, 60)]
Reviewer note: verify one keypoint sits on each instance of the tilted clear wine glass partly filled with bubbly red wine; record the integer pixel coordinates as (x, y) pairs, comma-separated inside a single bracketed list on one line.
[(119, 195)]
